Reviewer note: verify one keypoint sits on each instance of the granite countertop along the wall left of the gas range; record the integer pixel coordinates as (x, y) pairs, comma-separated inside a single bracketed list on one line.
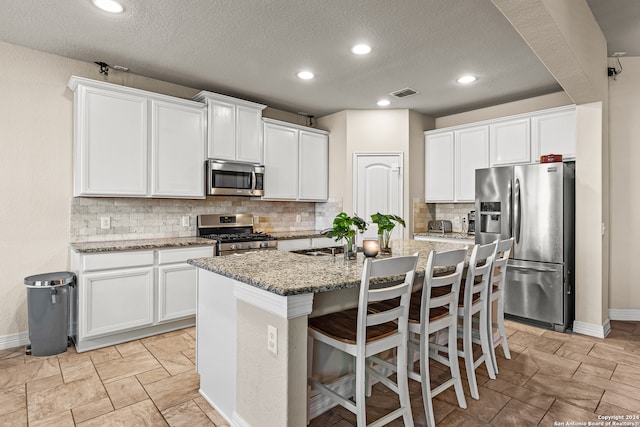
[(131, 245)]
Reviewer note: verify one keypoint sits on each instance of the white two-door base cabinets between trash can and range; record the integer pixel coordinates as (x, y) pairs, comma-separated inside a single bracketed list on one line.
[(121, 296)]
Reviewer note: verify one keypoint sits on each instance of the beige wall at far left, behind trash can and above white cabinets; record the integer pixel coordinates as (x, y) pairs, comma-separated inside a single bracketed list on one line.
[(36, 166)]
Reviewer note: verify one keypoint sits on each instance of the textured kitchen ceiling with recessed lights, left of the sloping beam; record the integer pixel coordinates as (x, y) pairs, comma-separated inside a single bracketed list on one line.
[(253, 49)]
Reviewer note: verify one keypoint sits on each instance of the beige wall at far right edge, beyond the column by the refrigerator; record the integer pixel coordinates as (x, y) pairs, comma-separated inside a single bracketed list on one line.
[(624, 137)]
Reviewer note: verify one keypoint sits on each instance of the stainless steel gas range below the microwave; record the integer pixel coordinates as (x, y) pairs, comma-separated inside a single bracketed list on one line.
[(234, 234)]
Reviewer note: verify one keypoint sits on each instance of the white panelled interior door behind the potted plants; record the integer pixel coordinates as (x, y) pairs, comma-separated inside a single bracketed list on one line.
[(378, 188)]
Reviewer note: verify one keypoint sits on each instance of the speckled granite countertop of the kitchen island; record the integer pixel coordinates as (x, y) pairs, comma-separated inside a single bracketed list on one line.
[(287, 273)]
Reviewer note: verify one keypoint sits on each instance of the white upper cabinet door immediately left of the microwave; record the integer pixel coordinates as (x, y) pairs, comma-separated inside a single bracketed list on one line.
[(178, 150)]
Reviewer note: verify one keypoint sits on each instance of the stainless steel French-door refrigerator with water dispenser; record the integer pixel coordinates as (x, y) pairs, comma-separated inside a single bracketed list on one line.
[(534, 204)]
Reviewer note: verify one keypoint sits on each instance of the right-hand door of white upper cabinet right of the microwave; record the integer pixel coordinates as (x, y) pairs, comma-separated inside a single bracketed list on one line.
[(313, 166)]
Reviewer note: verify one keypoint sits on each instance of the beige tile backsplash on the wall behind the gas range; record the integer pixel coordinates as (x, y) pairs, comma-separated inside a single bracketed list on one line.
[(133, 218)]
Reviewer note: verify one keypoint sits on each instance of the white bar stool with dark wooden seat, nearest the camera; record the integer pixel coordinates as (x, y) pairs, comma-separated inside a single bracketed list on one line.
[(364, 334)]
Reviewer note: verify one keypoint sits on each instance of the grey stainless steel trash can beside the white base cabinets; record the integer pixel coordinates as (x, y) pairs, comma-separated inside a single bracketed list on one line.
[(48, 310)]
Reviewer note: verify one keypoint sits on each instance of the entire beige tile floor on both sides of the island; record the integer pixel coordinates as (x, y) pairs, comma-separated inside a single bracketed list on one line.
[(551, 378)]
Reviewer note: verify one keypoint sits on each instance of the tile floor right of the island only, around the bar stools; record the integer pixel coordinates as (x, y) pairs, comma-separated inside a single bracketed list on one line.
[(552, 379)]
